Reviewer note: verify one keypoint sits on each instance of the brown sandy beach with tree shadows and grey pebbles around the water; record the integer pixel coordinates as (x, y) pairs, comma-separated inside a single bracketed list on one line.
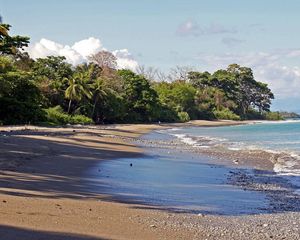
[(43, 193)]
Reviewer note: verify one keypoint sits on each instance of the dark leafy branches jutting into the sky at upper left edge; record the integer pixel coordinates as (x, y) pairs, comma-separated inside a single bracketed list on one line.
[(8, 44)]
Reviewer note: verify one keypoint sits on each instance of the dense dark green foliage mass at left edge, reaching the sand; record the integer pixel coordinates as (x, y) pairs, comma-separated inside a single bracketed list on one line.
[(19, 97)]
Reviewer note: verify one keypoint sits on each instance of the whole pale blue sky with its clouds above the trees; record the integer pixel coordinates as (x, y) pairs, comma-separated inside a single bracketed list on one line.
[(204, 35)]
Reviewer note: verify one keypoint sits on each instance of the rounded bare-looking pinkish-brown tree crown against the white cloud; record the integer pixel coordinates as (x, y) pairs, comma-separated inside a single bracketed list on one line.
[(104, 59)]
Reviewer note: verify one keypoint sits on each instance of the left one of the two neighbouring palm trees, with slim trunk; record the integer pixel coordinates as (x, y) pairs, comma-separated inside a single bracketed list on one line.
[(78, 88)]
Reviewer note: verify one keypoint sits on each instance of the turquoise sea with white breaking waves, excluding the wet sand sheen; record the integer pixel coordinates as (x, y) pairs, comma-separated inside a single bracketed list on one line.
[(282, 139)]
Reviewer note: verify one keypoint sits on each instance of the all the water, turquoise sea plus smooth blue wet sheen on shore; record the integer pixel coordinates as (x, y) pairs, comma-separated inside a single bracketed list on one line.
[(171, 175)]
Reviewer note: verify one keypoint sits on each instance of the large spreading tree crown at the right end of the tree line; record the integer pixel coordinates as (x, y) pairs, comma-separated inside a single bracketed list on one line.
[(238, 89)]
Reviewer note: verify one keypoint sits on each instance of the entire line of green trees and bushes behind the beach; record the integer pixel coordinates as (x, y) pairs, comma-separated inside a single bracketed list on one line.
[(50, 90)]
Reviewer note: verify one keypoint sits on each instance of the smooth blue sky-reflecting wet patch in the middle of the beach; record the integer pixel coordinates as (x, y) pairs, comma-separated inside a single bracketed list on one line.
[(175, 182)]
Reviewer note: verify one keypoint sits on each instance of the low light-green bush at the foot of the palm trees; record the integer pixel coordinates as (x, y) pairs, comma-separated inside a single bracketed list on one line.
[(56, 115)]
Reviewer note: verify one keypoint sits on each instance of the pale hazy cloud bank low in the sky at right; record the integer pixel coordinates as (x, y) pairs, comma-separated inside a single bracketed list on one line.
[(283, 79)]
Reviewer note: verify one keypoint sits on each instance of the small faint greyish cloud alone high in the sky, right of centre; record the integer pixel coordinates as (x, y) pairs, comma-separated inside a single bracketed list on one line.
[(192, 28)]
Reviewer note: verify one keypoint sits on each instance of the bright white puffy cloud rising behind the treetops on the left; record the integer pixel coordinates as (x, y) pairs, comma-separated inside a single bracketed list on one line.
[(79, 52)]
